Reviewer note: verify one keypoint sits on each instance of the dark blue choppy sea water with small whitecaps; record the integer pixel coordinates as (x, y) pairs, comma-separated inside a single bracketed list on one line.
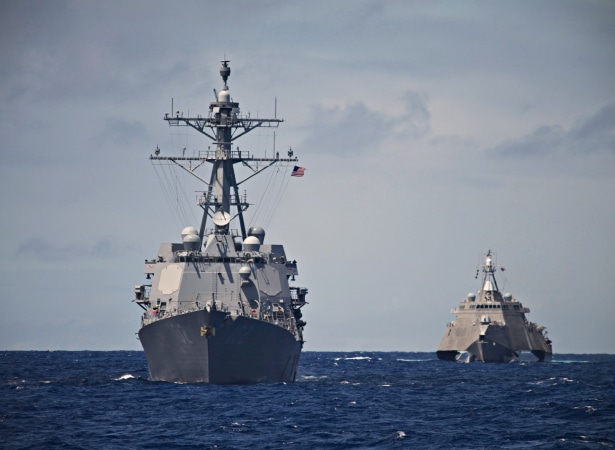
[(85, 400)]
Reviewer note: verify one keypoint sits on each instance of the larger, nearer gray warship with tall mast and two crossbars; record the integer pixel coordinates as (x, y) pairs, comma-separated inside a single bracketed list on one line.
[(218, 306)]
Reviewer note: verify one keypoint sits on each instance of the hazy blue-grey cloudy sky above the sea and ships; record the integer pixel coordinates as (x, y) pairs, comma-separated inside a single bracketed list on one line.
[(431, 132)]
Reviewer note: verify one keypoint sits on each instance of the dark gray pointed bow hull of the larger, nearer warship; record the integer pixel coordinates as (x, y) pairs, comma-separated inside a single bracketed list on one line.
[(215, 347)]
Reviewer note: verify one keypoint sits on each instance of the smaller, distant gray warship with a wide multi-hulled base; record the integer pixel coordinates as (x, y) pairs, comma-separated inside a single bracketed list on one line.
[(491, 327)]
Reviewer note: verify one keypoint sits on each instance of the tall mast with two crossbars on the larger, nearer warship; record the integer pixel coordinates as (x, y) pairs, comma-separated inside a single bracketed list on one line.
[(223, 125)]
